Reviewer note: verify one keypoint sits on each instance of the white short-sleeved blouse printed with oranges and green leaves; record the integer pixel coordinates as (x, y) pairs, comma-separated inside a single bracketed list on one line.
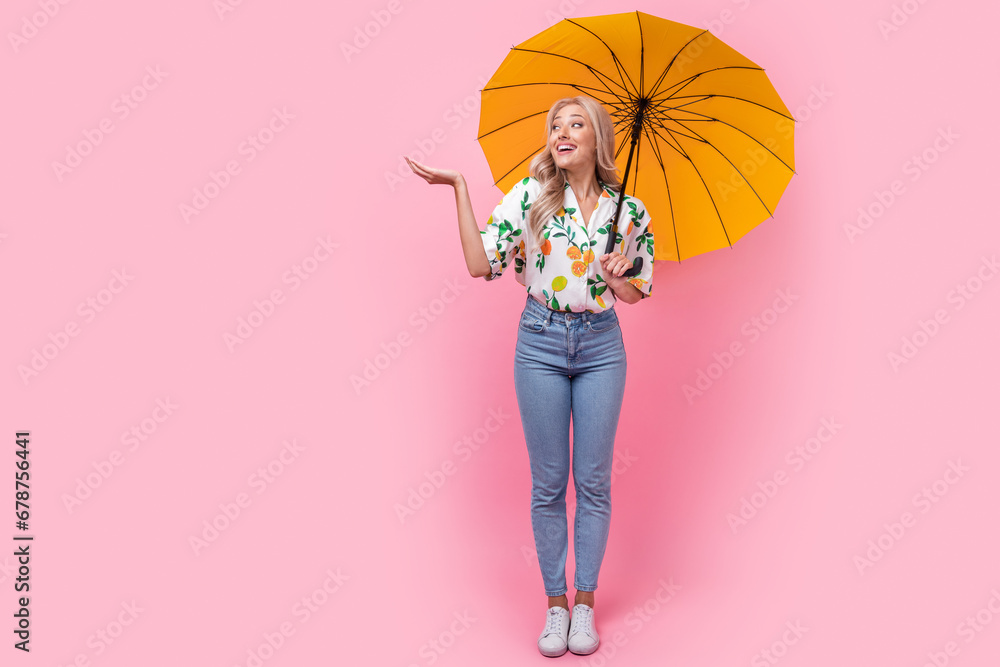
[(565, 273)]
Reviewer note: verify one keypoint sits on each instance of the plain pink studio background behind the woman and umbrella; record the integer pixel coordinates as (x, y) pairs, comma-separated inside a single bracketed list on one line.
[(397, 591)]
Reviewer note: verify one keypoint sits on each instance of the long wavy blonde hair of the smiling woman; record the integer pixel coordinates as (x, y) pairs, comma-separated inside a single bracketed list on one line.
[(553, 178)]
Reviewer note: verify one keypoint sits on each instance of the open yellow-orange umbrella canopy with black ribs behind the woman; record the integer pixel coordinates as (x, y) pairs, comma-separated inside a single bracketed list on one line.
[(710, 141)]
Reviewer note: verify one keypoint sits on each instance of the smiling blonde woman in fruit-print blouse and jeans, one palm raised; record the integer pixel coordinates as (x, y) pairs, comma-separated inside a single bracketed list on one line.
[(570, 357)]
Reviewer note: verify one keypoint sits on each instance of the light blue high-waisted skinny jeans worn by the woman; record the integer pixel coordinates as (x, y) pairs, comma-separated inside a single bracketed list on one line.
[(569, 364)]
